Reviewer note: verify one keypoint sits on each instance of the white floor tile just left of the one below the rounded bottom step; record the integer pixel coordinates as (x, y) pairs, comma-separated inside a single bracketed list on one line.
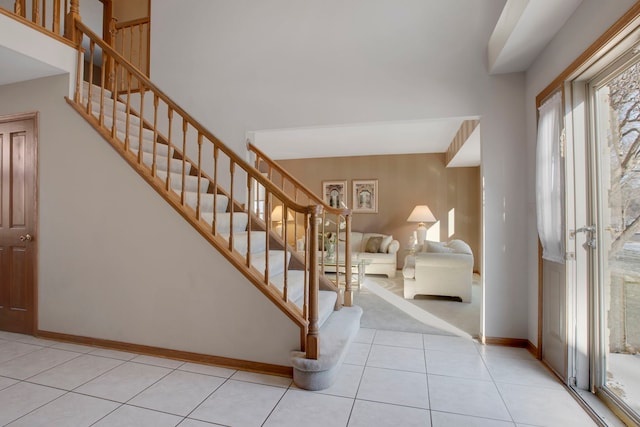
[(238, 403)]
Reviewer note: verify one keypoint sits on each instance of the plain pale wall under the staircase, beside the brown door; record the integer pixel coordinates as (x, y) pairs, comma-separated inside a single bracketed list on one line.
[(116, 262)]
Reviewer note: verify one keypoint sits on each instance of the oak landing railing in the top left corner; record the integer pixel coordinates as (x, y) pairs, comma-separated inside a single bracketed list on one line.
[(53, 17)]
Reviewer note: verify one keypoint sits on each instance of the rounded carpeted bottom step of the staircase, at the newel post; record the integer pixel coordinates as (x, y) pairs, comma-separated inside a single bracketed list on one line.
[(335, 337)]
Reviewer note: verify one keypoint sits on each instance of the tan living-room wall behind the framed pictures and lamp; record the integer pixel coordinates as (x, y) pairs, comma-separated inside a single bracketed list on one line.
[(403, 182)]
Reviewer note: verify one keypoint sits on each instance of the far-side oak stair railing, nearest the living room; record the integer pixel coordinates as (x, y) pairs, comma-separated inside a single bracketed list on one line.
[(334, 224)]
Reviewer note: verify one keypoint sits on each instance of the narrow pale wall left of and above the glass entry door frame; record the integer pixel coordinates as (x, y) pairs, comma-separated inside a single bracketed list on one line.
[(589, 21)]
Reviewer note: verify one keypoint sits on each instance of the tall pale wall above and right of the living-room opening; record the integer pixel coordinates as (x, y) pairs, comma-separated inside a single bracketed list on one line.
[(246, 65)]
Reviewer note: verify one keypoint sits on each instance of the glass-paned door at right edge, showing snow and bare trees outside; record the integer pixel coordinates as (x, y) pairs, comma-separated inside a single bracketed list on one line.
[(616, 101)]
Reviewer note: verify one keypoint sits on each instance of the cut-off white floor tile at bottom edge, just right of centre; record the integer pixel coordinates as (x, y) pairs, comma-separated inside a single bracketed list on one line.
[(367, 414)]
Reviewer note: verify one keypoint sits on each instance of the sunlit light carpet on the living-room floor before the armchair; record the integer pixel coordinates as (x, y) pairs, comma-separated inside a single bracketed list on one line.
[(384, 307)]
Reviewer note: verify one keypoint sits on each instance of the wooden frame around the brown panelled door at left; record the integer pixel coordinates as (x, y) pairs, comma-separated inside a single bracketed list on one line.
[(33, 116)]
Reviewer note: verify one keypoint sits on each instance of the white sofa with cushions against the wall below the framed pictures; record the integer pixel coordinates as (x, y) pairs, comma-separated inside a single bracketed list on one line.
[(379, 249)]
